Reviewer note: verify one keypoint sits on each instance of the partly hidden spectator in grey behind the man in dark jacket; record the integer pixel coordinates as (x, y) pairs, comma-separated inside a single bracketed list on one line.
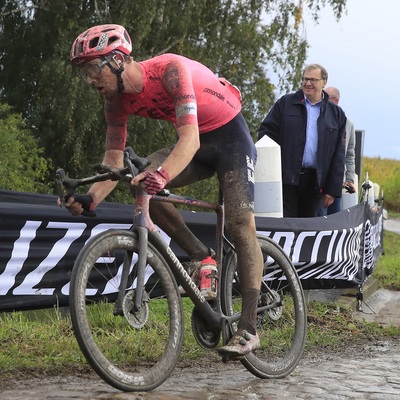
[(350, 157)]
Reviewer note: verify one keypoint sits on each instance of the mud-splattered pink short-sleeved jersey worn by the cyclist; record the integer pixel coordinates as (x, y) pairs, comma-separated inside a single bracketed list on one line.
[(175, 89)]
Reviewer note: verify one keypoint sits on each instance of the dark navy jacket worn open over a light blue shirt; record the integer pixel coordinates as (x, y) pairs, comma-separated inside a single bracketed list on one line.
[(286, 125)]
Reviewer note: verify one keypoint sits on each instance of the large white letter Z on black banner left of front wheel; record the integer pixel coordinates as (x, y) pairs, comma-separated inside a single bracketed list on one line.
[(58, 251)]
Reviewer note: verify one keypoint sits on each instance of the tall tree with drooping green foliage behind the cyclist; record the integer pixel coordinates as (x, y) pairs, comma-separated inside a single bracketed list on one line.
[(245, 41)]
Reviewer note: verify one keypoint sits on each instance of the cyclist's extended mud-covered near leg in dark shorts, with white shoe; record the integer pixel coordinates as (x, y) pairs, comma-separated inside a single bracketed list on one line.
[(231, 151)]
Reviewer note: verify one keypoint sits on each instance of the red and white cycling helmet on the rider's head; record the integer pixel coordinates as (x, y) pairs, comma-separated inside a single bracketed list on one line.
[(98, 41)]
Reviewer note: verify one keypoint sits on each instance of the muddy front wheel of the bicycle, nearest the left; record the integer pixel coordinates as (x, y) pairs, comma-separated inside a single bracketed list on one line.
[(132, 351)]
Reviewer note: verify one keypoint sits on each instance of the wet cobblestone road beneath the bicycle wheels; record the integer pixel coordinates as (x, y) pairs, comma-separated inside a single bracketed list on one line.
[(366, 371)]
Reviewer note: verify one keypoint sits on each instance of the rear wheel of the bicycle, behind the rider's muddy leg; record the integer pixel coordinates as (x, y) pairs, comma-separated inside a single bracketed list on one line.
[(282, 330)]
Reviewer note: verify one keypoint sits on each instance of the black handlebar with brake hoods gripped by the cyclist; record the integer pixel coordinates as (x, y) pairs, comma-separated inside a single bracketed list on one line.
[(133, 166)]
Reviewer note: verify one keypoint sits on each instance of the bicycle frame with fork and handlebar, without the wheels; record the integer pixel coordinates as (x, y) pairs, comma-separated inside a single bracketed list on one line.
[(211, 311)]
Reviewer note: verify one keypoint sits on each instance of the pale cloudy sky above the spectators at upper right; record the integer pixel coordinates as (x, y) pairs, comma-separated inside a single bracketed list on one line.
[(362, 55)]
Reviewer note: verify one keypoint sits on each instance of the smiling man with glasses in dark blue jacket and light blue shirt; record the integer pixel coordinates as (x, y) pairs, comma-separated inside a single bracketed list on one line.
[(311, 133)]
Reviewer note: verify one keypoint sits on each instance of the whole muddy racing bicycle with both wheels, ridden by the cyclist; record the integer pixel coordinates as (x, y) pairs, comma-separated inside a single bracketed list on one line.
[(125, 301)]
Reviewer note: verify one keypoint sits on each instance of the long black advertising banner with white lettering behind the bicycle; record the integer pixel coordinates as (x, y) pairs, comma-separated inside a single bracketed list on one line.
[(40, 241)]
